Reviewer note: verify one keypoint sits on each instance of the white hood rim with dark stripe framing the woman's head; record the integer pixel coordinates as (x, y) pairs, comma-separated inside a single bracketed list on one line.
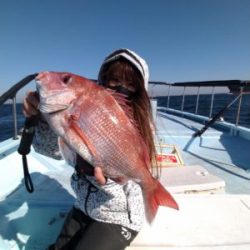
[(133, 58)]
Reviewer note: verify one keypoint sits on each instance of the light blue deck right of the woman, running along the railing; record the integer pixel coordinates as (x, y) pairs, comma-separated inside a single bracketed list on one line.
[(218, 151)]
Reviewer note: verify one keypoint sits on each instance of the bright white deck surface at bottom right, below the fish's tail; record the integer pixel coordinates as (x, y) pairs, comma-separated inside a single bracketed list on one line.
[(203, 222)]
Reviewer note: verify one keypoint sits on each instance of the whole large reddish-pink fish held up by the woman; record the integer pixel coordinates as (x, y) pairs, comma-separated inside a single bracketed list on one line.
[(90, 122)]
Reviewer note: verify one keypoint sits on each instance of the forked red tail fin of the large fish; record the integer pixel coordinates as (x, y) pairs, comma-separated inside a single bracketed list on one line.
[(155, 197)]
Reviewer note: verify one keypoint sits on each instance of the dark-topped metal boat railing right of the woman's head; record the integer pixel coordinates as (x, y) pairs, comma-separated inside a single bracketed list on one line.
[(235, 87)]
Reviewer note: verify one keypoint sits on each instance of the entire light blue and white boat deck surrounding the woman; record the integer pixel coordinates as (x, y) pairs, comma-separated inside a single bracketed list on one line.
[(205, 221)]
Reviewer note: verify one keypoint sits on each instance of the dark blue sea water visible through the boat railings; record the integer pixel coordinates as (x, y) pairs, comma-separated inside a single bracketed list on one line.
[(220, 100)]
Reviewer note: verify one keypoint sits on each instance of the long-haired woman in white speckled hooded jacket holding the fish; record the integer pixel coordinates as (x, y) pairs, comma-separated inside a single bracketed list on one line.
[(106, 215)]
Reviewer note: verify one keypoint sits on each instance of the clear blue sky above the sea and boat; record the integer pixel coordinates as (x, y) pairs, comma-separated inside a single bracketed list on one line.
[(182, 40)]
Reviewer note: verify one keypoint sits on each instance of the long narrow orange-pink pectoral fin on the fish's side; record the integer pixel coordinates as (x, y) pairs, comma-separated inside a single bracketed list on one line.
[(74, 126)]
